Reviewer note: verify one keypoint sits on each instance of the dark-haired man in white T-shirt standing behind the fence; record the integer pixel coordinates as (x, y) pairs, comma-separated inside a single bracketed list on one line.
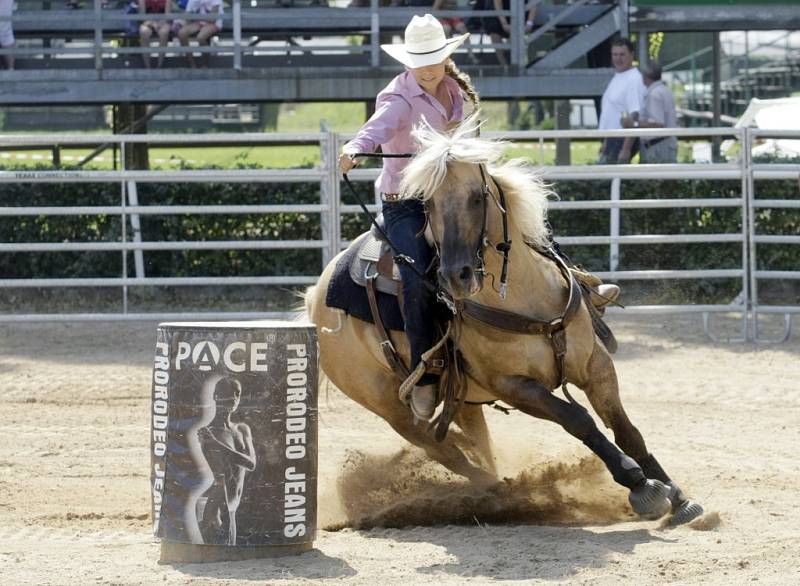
[(624, 96)]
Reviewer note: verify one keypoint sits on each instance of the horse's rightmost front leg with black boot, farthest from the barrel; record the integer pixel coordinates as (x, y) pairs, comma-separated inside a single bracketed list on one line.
[(602, 391)]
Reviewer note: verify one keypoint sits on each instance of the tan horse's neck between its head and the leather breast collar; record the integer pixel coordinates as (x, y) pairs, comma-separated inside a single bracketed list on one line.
[(535, 284)]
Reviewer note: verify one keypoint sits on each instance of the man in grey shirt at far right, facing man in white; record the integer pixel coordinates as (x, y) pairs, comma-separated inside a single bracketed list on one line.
[(658, 112)]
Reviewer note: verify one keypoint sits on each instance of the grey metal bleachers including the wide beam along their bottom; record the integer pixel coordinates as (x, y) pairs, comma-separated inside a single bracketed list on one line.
[(306, 50)]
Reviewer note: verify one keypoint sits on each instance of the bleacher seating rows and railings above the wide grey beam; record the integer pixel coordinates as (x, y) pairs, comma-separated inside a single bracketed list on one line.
[(263, 33)]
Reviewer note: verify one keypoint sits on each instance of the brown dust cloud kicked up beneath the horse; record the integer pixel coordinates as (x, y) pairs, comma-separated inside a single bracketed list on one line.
[(406, 489)]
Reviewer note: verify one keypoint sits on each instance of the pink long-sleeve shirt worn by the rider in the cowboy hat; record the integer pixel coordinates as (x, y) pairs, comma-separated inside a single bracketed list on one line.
[(398, 108)]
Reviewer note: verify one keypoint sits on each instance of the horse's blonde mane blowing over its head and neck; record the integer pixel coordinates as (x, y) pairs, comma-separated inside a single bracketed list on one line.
[(526, 194)]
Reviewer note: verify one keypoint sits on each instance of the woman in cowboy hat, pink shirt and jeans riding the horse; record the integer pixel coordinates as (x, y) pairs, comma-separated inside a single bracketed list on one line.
[(432, 88)]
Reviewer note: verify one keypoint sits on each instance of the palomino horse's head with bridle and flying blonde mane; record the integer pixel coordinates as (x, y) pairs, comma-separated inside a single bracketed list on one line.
[(457, 174)]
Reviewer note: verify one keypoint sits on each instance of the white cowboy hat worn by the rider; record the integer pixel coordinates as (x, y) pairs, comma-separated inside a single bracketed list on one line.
[(425, 43)]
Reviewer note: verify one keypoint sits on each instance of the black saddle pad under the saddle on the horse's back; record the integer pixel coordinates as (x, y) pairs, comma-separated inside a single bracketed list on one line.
[(344, 293)]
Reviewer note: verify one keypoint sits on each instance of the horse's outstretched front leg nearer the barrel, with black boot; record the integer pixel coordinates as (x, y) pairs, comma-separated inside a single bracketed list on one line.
[(648, 497)]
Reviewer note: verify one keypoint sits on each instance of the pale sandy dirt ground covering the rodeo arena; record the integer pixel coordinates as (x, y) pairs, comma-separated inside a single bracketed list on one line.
[(724, 420)]
